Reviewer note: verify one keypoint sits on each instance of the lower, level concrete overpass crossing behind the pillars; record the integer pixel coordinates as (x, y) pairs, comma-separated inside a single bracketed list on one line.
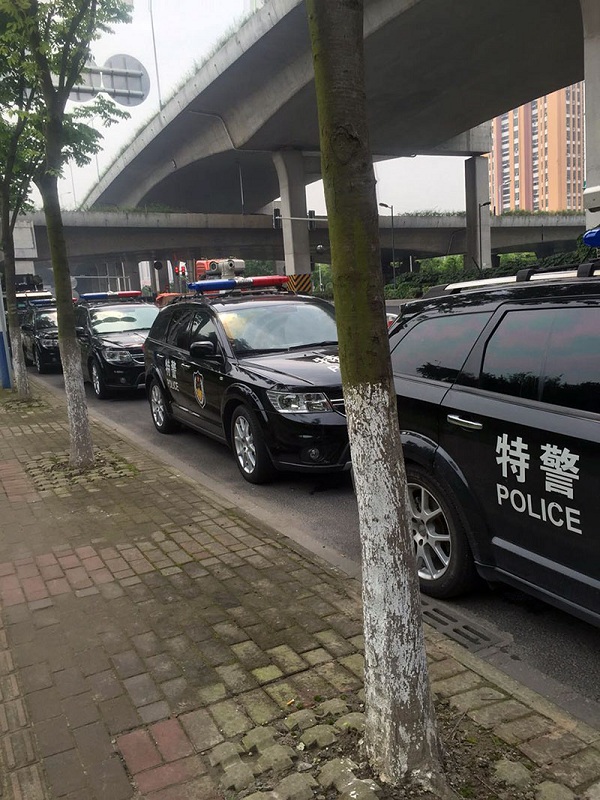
[(96, 237)]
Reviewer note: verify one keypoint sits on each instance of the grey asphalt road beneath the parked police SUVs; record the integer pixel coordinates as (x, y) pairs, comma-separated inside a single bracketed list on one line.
[(545, 649)]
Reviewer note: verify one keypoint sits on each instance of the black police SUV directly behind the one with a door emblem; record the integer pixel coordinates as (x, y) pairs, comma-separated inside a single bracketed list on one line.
[(111, 329)]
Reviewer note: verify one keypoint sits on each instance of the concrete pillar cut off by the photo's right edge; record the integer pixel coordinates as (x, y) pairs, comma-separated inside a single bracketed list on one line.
[(590, 12)]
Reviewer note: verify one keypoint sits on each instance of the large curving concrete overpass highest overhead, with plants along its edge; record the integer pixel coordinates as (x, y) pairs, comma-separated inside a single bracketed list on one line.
[(434, 70)]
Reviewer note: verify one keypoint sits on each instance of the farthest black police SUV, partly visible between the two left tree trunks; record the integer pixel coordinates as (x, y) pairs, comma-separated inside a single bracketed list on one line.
[(39, 334)]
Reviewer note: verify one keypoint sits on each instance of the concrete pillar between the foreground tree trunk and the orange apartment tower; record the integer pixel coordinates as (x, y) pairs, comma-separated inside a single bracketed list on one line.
[(477, 191)]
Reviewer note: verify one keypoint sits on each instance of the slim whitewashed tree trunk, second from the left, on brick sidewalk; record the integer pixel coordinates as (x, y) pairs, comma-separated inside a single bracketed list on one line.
[(82, 451)]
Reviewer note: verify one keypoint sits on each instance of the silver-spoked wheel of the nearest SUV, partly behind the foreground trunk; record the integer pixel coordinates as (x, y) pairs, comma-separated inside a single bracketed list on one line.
[(444, 559)]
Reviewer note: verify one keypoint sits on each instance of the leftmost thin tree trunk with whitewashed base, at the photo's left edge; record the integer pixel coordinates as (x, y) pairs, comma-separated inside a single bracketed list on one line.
[(8, 248)]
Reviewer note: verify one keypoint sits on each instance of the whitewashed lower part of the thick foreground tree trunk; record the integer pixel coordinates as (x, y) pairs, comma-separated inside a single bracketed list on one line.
[(401, 737)]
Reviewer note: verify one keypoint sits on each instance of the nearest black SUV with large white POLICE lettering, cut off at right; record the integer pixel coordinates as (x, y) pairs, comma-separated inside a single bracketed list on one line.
[(498, 386)]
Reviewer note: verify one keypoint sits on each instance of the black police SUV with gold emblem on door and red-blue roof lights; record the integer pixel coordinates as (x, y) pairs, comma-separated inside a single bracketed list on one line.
[(256, 367)]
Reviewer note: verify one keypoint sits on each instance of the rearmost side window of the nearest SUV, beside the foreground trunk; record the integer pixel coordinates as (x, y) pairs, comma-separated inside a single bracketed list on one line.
[(437, 348)]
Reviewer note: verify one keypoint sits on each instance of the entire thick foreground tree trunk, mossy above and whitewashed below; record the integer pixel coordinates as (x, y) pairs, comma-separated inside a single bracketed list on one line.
[(401, 734)]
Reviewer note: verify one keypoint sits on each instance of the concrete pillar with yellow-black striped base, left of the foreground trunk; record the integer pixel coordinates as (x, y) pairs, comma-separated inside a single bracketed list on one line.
[(296, 246)]
